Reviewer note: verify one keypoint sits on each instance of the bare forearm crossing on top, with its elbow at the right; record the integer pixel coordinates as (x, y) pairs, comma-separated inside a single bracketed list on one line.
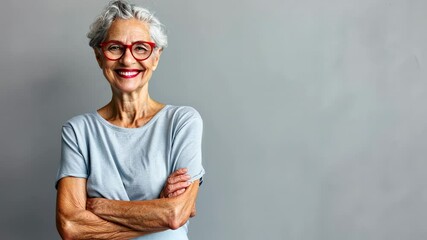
[(148, 215)]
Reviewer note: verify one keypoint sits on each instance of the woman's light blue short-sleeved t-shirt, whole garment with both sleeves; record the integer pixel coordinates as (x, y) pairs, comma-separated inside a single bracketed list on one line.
[(133, 163)]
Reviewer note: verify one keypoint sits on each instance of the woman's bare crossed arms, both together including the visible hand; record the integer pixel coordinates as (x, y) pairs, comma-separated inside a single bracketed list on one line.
[(79, 217)]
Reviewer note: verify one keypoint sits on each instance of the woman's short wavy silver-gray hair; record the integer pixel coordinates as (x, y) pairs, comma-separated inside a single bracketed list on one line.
[(124, 10)]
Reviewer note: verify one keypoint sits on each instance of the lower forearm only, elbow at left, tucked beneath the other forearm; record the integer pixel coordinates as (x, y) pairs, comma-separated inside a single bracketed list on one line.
[(83, 224)]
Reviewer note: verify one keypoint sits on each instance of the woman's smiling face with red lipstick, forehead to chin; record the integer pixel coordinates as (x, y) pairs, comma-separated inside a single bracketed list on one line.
[(128, 75)]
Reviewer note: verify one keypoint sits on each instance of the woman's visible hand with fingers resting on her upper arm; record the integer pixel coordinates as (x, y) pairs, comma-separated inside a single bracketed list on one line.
[(176, 184)]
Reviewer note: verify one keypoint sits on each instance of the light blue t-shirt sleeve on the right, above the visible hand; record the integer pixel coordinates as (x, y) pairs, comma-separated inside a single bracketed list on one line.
[(187, 147)]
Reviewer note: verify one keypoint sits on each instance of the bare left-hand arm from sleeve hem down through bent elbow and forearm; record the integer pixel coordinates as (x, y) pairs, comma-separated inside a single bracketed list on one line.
[(73, 221)]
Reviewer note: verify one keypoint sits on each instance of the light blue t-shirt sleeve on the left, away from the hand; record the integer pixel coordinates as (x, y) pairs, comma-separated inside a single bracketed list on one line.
[(72, 162)]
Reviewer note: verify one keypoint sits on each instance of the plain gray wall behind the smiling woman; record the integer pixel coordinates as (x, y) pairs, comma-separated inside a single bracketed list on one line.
[(314, 112)]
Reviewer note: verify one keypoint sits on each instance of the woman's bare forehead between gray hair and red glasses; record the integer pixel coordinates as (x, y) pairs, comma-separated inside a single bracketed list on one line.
[(128, 31)]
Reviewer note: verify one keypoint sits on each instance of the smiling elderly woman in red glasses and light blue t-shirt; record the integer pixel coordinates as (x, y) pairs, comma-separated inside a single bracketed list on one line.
[(132, 168)]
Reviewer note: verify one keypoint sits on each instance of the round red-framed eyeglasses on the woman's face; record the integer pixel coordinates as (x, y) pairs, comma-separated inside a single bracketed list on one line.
[(114, 50)]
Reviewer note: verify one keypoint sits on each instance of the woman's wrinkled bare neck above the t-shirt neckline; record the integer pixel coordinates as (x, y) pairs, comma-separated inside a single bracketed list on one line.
[(130, 110)]
